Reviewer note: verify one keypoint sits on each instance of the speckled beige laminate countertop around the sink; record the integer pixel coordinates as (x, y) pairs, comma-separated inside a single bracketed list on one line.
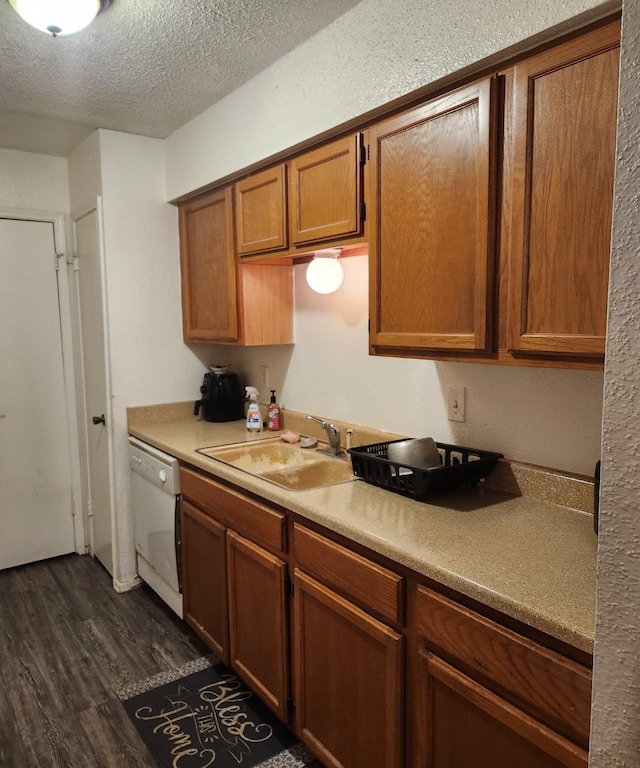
[(532, 560)]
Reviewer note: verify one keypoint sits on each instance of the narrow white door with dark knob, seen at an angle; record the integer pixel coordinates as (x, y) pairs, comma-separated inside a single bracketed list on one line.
[(96, 384)]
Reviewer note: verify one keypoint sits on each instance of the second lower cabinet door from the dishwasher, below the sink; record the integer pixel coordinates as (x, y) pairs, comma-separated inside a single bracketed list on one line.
[(258, 636)]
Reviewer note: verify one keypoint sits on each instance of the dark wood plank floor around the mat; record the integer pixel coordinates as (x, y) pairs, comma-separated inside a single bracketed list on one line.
[(68, 641)]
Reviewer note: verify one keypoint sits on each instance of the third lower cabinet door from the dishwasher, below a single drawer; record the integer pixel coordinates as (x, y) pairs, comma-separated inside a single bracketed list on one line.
[(348, 673)]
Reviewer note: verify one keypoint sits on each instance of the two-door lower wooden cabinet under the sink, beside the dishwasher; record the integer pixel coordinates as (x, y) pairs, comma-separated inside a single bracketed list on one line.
[(235, 586)]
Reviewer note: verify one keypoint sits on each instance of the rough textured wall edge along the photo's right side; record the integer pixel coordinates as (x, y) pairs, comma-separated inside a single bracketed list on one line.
[(616, 705)]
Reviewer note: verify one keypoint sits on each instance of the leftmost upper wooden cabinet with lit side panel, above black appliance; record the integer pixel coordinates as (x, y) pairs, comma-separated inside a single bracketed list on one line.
[(223, 301)]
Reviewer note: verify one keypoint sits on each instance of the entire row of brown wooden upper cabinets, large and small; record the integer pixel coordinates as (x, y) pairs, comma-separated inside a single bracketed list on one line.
[(488, 221)]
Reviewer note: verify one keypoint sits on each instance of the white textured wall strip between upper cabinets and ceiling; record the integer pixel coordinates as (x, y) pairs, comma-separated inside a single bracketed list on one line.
[(378, 51)]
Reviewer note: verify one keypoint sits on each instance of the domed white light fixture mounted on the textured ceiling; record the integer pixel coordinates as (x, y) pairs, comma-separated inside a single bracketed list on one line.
[(59, 17)]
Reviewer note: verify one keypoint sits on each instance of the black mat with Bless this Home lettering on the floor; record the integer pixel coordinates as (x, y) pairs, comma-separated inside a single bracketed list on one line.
[(210, 719)]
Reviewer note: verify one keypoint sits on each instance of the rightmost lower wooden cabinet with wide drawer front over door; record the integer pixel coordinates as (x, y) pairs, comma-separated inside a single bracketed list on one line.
[(486, 696)]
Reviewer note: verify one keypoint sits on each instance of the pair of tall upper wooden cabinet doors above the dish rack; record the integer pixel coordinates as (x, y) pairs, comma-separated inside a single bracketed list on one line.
[(491, 214)]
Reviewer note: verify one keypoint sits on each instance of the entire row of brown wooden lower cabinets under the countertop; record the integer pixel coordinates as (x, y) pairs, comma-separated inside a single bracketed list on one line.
[(375, 683)]
